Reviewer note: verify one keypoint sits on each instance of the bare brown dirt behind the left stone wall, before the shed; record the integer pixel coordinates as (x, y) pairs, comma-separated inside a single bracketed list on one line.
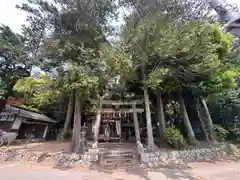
[(50, 146)]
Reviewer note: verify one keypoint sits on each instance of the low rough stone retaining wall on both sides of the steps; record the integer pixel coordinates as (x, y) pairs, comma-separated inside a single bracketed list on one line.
[(64, 160)]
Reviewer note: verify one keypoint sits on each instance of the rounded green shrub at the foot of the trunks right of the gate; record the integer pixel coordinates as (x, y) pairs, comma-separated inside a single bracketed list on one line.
[(175, 138)]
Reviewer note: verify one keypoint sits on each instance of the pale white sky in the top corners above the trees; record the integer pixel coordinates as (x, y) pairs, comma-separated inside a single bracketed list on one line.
[(13, 17)]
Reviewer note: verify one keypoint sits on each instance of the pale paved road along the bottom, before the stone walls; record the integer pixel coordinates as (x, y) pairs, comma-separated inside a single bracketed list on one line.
[(200, 171)]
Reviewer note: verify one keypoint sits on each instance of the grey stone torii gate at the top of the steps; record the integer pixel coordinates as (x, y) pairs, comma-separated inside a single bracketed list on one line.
[(134, 110)]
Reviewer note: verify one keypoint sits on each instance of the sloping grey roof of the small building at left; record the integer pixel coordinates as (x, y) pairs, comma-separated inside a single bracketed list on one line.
[(28, 114)]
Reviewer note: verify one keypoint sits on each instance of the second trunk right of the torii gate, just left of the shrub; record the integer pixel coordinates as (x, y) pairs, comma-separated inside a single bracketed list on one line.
[(160, 114)]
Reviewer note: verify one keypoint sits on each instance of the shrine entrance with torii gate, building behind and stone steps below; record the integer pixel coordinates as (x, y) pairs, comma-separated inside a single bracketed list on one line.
[(115, 131)]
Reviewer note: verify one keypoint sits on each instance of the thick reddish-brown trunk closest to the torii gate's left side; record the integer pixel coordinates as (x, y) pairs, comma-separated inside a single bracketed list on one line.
[(77, 125)]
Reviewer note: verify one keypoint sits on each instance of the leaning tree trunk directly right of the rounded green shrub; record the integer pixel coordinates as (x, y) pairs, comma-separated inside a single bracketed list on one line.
[(186, 120)]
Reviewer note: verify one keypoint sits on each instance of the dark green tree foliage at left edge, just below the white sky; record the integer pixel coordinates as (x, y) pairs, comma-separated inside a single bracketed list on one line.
[(15, 60)]
